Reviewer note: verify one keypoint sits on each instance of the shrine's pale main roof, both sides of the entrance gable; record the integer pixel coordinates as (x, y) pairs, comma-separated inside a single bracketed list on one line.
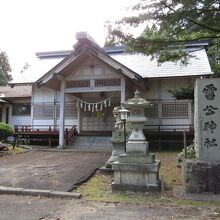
[(138, 63)]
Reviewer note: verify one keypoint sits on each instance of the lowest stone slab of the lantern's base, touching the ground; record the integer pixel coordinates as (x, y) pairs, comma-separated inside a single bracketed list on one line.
[(134, 188)]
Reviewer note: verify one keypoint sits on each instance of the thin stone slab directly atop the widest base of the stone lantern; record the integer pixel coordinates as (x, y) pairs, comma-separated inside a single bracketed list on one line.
[(150, 158)]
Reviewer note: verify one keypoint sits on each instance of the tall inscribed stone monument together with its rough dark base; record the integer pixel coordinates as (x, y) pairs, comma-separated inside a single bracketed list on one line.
[(203, 173)]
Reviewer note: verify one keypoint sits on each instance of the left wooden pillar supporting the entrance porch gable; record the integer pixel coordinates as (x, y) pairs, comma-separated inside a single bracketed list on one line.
[(62, 117)]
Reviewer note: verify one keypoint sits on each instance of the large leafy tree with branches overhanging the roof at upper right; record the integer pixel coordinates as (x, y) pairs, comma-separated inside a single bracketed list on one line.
[(170, 24)]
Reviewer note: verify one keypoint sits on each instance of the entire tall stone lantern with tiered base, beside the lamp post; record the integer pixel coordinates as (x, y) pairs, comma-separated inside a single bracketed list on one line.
[(136, 170)]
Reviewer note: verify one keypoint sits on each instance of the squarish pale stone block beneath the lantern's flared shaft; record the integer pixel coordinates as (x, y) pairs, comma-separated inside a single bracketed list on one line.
[(137, 148)]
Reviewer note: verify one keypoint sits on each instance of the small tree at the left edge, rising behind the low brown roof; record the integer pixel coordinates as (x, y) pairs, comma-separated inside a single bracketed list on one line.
[(5, 69)]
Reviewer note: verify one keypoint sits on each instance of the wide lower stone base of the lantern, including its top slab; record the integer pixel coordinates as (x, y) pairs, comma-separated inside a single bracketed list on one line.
[(136, 173)]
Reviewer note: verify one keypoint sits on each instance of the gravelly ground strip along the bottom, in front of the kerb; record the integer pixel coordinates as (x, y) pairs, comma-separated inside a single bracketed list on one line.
[(40, 208)]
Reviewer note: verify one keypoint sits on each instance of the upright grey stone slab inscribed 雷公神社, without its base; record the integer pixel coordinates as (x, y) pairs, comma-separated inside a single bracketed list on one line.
[(207, 119)]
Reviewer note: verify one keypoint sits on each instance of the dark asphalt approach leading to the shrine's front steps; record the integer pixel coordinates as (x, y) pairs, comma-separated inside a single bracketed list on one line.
[(49, 170)]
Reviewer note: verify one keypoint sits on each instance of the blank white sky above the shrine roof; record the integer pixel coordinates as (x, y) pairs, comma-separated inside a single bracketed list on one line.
[(30, 26)]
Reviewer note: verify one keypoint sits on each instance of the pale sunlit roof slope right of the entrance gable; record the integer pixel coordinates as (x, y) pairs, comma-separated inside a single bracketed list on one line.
[(147, 68)]
